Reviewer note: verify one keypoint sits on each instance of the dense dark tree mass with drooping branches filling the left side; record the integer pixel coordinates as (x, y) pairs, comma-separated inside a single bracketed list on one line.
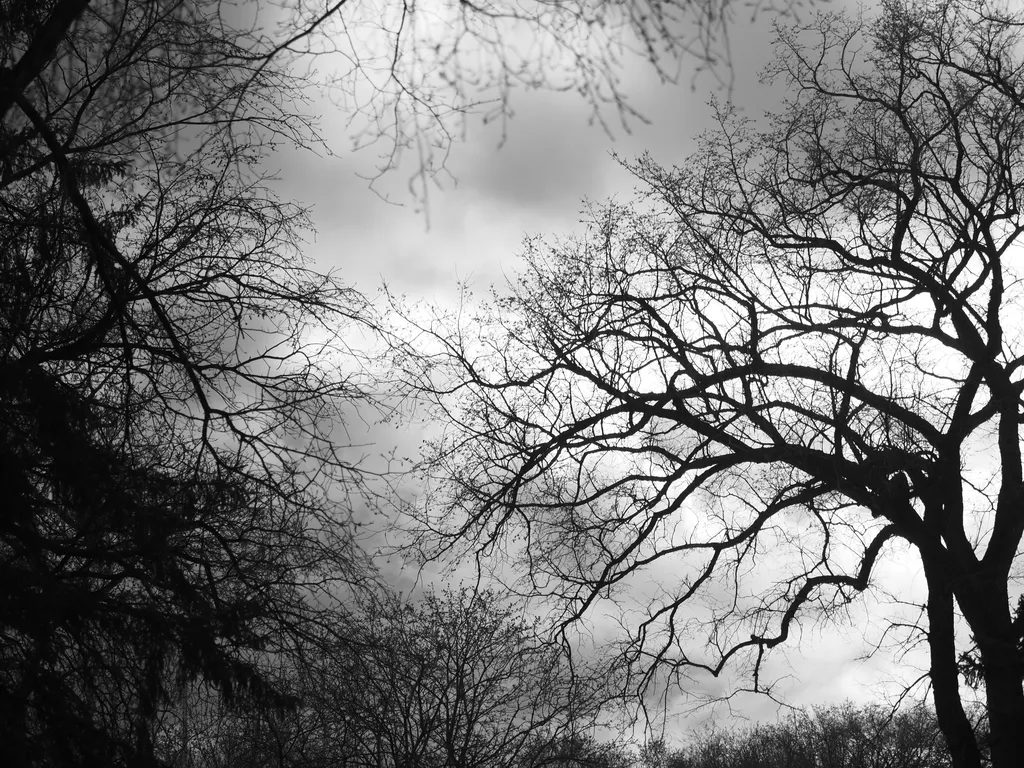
[(170, 399)]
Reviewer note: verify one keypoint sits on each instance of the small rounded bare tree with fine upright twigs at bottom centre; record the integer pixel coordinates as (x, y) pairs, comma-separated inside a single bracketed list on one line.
[(460, 680)]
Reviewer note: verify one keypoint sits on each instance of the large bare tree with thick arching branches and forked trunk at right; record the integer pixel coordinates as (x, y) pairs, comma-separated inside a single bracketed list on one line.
[(799, 355)]
